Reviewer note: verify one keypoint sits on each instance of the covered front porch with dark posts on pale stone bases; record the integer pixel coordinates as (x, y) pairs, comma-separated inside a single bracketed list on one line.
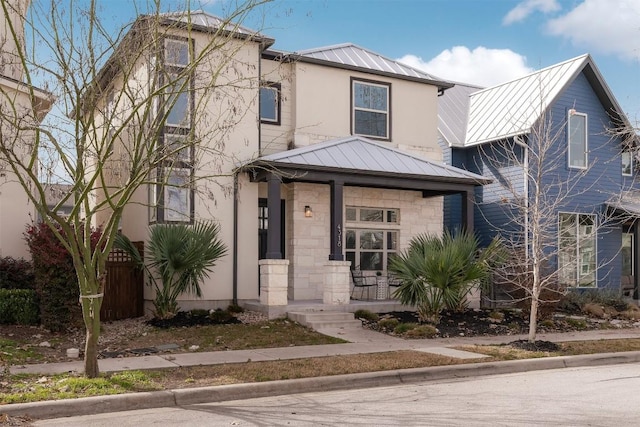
[(350, 203)]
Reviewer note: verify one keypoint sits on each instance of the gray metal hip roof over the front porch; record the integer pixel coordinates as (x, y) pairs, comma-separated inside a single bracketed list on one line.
[(358, 153)]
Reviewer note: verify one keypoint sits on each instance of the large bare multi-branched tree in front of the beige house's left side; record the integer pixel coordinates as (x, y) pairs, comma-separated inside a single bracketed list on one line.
[(116, 97)]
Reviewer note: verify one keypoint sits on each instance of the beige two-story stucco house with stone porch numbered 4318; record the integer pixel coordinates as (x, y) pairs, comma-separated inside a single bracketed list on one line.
[(335, 166)]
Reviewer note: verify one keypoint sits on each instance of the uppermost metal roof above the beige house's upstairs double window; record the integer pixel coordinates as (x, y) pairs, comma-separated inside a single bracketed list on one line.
[(352, 57)]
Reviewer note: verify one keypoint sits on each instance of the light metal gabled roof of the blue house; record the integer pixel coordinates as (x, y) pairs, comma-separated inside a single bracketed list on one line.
[(514, 107)]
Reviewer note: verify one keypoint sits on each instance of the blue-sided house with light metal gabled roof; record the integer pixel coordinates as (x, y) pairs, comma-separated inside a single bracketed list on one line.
[(562, 173)]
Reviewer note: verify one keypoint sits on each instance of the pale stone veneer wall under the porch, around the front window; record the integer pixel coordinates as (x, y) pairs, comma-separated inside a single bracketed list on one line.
[(308, 238)]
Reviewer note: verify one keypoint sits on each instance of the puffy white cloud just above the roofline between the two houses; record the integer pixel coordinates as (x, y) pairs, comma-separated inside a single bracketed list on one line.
[(482, 66)]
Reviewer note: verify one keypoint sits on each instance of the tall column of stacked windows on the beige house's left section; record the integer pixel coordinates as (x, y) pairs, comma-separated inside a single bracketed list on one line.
[(172, 199)]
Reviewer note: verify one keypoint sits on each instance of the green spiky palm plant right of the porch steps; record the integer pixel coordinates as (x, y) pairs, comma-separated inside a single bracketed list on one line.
[(438, 272)]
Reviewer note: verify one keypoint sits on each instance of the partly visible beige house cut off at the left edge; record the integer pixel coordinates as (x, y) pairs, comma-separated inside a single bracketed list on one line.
[(20, 104)]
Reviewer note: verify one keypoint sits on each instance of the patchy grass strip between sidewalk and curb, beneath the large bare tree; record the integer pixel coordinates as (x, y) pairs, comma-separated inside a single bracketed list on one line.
[(32, 388)]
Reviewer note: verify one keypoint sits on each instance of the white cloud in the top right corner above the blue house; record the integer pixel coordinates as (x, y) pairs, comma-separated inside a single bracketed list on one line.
[(603, 26)]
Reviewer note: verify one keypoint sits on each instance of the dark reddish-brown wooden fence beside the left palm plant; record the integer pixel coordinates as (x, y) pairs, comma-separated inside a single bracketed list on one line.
[(124, 290)]
